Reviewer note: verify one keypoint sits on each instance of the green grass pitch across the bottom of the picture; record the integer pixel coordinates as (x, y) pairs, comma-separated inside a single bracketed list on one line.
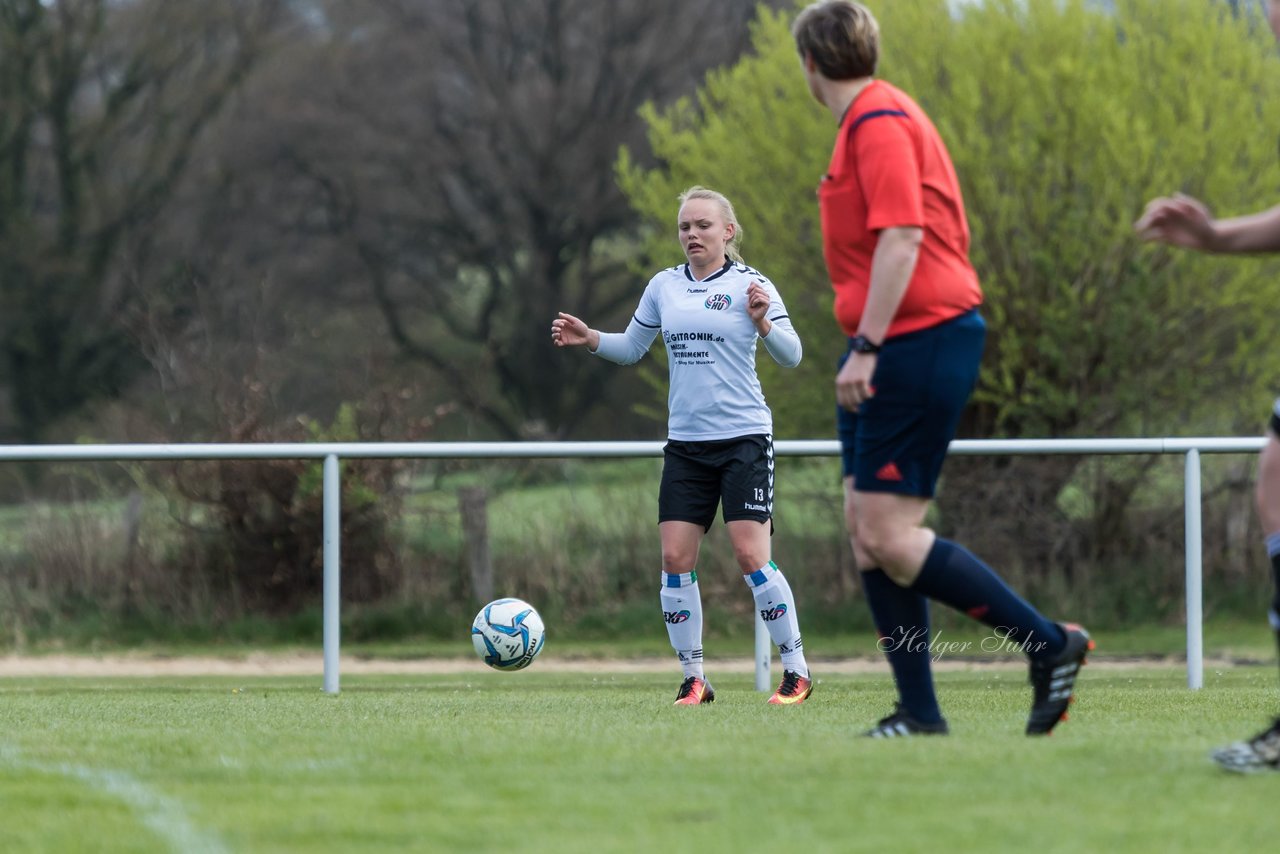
[(600, 761)]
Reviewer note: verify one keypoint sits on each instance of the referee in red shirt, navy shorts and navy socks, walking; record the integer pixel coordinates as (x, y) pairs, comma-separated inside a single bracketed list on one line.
[(897, 244)]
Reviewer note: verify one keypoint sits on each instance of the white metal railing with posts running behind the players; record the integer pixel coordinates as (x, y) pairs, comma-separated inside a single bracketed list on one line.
[(1192, 449)]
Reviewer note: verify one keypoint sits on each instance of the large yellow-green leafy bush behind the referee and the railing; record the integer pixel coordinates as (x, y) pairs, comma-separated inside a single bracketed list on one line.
[(1063, 118)]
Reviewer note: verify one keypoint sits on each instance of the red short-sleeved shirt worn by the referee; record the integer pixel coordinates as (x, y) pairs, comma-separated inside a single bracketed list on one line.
[(890, 168)]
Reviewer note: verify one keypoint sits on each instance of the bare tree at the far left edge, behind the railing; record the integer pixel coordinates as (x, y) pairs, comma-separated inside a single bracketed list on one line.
[(102, 104)]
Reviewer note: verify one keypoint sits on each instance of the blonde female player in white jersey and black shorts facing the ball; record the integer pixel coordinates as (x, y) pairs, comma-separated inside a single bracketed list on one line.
[(711, 312)]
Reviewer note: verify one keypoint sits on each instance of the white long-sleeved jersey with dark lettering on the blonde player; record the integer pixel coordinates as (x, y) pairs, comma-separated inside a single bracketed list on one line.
[(711, 350)]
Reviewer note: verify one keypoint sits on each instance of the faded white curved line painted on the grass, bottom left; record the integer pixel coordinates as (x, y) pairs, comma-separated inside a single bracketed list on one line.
[(164, 816)]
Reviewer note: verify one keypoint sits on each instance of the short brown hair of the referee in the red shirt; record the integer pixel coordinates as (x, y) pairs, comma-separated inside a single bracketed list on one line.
[(842, 36)]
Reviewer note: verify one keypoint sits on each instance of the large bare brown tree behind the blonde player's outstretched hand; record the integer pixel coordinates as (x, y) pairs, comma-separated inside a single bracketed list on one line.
[(463, 156)]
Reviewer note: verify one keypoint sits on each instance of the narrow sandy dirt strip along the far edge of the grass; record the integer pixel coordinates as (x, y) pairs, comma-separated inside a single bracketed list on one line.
[(313, 665)]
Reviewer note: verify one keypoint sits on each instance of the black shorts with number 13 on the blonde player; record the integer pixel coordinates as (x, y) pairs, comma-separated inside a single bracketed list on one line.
[(697, 477)]
